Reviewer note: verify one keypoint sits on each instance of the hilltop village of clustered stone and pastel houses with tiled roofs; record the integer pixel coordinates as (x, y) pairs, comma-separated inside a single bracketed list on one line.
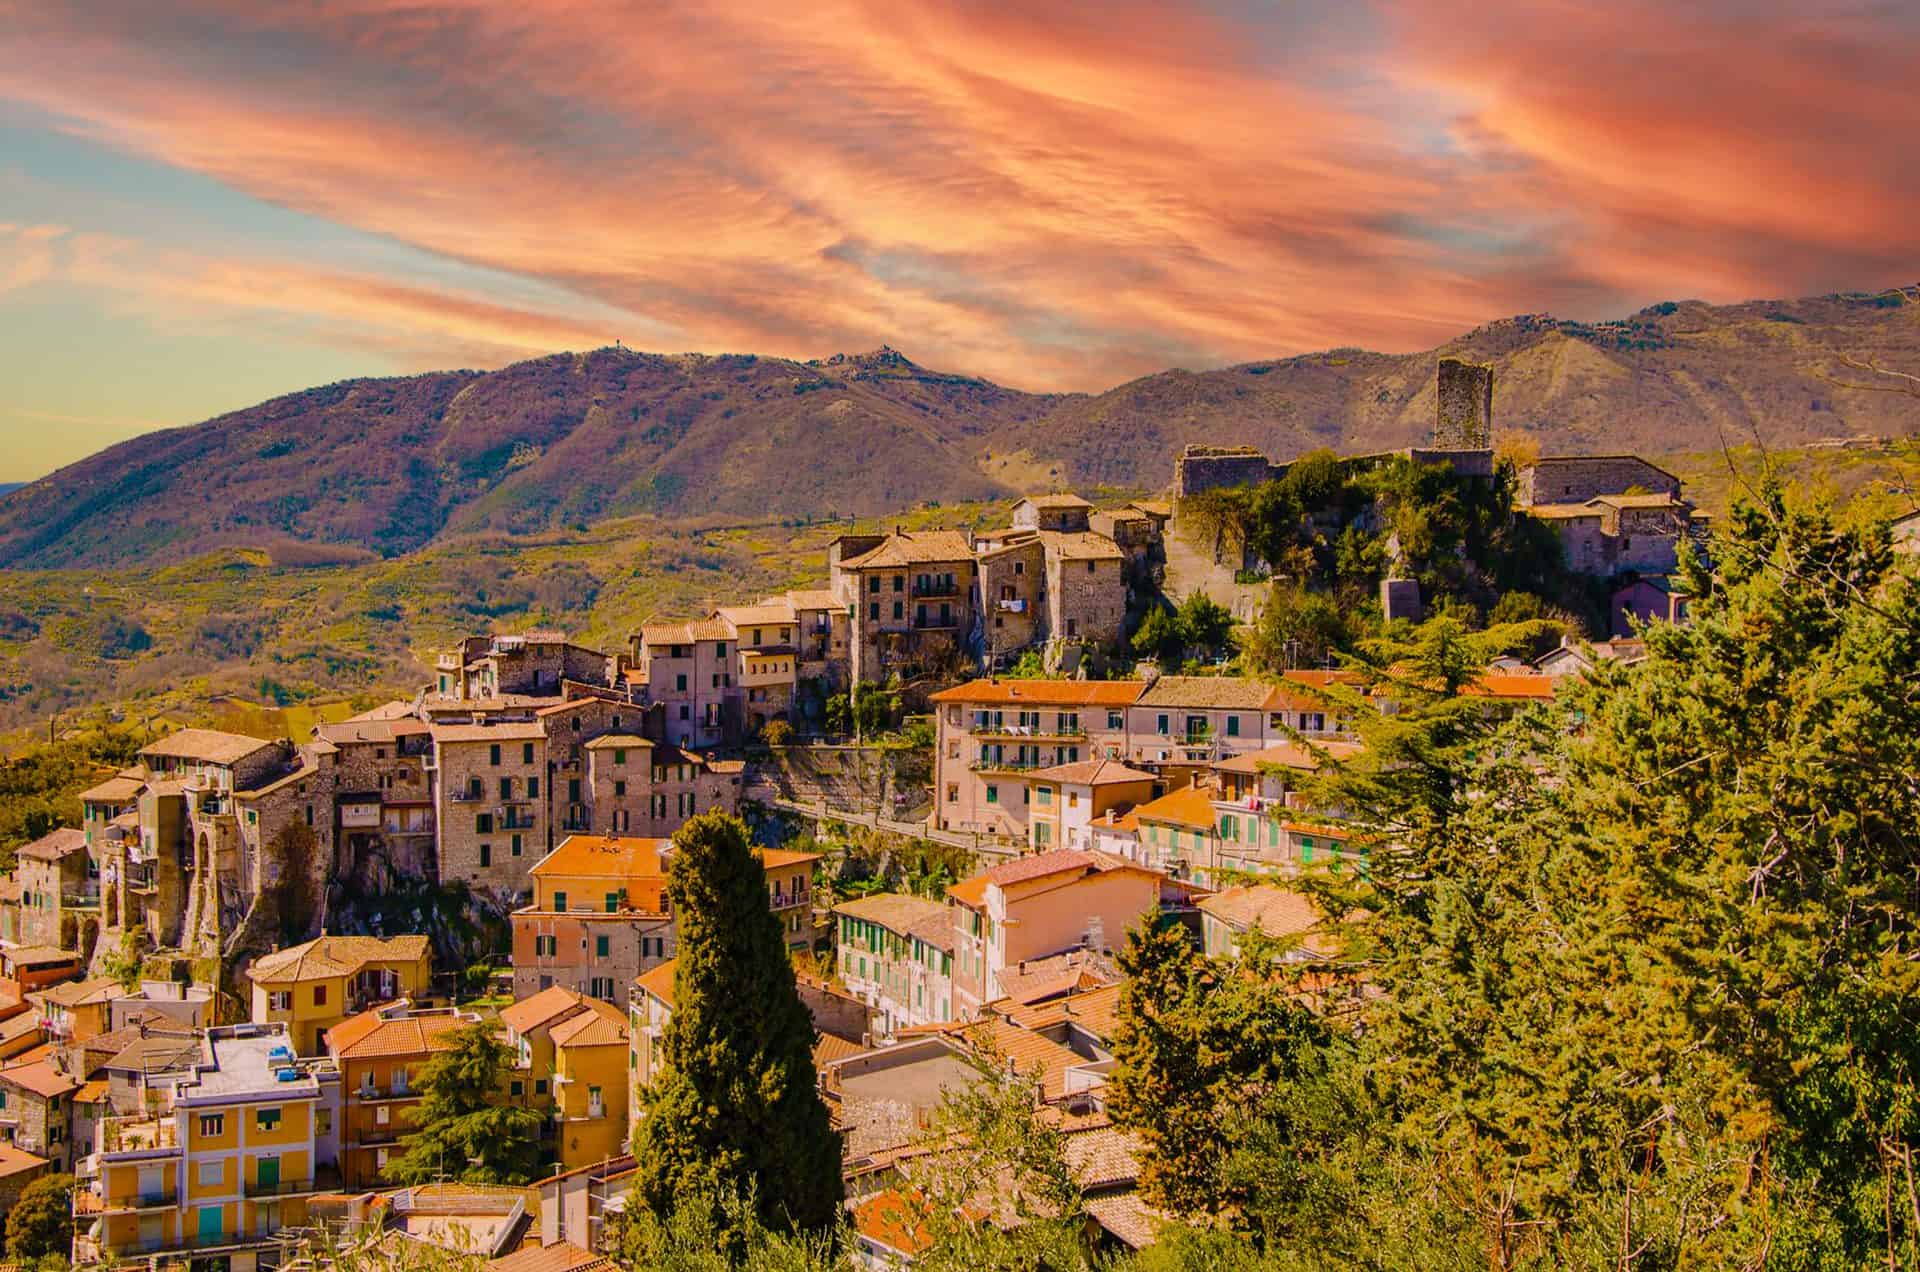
[(193, 1033)]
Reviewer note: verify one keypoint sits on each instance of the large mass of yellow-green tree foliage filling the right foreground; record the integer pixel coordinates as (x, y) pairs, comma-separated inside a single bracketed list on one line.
[(1641, 967)]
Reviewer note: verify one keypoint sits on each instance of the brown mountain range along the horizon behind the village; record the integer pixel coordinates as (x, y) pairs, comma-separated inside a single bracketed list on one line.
[(391, 466)]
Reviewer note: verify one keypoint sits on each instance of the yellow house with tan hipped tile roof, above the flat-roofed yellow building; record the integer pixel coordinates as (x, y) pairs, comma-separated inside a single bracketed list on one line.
[(316, 987)]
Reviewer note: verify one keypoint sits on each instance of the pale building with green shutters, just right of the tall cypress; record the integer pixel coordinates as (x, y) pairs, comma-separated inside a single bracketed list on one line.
[(896, 954)]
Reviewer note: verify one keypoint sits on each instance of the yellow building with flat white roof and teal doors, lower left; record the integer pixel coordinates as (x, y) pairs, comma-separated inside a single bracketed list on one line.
[(226, 1163)]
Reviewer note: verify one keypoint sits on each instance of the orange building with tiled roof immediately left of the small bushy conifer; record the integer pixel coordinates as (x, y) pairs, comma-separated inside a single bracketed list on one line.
[(379, 1056)]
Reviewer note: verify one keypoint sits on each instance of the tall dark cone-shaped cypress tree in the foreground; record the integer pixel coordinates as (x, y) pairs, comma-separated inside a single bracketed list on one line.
[(736, 1112)]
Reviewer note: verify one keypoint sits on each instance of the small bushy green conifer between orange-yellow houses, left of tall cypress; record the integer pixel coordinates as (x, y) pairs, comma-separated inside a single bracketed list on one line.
[(464, 1133)]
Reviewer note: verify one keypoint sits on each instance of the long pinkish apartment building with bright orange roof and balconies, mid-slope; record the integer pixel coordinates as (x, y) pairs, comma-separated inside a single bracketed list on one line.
[(994, 733)]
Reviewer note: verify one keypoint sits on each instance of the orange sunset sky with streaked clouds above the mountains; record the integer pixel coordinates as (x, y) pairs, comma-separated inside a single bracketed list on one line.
[(204, 205)]
